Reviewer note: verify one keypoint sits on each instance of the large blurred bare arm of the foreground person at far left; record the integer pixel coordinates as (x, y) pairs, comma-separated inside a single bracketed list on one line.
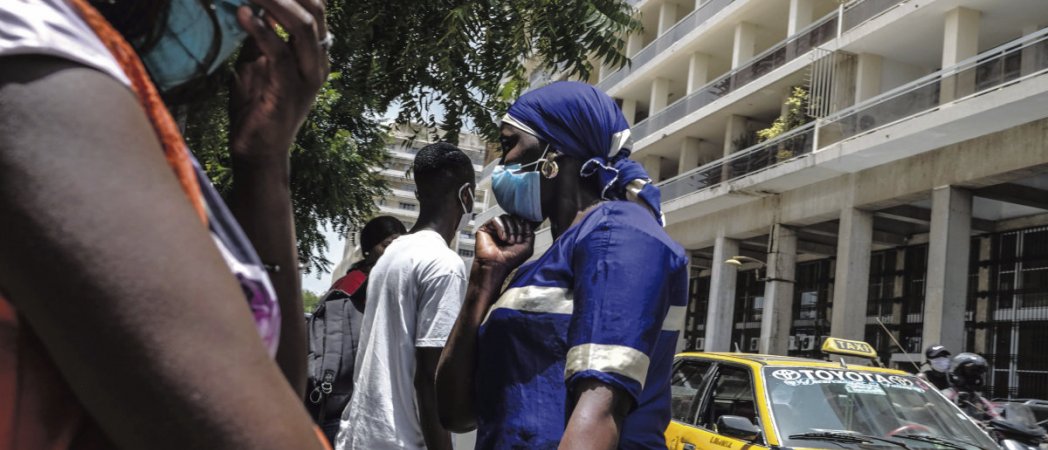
[(142, 290)]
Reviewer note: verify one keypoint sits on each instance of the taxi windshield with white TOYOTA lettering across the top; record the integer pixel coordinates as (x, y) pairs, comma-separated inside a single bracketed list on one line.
[(902, 409)]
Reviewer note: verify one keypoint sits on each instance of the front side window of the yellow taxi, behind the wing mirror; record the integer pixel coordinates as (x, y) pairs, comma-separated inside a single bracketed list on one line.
[(732, 395)]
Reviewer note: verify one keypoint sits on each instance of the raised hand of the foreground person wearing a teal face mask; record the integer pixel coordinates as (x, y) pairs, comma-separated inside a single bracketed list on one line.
[(276, 82)]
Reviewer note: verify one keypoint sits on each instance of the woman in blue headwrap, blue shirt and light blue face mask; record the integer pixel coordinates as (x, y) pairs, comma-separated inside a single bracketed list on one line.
[(577, 352)]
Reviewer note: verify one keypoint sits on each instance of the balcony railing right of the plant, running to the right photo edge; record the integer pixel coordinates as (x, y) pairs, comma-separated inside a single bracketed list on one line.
[(990, 71)]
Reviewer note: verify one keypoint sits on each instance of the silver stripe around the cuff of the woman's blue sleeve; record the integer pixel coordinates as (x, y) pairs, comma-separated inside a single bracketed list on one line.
[(614, 359)]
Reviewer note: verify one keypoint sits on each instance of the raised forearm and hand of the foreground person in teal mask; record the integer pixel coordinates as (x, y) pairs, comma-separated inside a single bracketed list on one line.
[(270, 99)]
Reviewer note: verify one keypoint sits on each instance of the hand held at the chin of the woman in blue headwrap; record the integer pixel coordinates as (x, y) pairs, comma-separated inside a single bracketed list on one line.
[(505, 243)]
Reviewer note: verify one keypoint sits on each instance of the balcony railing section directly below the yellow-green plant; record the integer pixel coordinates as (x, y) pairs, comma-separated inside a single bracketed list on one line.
[(793, 144)]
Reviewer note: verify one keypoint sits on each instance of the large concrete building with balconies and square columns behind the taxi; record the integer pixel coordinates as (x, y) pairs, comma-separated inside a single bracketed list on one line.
[(871, 161)]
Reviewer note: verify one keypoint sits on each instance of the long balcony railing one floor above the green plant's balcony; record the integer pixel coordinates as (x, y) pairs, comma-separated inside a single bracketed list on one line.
[(772, 59)]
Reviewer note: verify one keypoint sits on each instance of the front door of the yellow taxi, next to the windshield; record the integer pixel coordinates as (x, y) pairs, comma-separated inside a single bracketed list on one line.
[(730, 392)]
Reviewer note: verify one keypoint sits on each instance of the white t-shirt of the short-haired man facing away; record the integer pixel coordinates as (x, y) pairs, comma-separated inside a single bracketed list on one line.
[(414, 296)]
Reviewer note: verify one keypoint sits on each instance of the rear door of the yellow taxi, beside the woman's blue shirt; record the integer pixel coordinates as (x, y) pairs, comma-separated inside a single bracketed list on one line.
[(688, 384)]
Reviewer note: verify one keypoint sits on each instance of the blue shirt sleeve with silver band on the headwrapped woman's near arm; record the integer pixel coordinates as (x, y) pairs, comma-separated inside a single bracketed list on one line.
[(621, 301)]
